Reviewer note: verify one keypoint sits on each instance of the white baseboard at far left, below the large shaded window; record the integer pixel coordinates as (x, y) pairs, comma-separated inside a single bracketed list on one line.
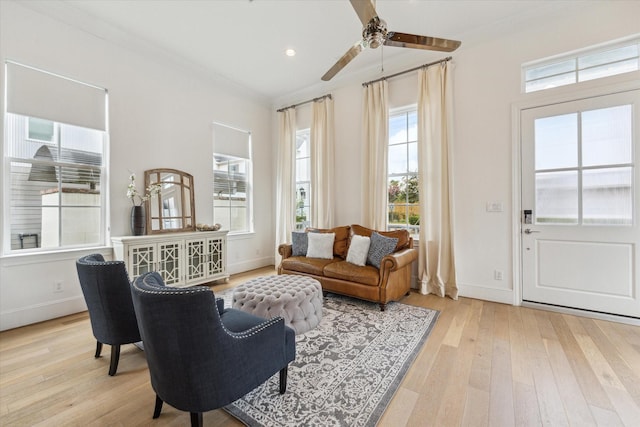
[(40, 312)]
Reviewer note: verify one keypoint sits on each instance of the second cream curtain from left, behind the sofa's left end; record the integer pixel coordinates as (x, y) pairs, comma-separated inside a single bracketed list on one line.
[(322, 163)]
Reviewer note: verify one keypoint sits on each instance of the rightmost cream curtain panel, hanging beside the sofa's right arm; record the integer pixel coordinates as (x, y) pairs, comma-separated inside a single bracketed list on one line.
[(436, 265)]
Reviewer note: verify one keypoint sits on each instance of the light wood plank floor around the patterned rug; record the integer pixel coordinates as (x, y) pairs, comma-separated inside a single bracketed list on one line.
[(485, 364)]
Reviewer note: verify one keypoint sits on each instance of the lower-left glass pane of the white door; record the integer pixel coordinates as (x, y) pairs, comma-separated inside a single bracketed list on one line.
[(557, 197)]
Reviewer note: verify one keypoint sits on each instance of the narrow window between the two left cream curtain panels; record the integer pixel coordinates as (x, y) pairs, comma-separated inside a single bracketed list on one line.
[(303, 179)]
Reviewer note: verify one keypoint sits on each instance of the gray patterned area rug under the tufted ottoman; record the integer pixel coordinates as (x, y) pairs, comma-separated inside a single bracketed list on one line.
[(346, 370)]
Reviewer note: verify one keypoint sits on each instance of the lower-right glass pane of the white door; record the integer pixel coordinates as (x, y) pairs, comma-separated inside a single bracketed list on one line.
[(607, 196)]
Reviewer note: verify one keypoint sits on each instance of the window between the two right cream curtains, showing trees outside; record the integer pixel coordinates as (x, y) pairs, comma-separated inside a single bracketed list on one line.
[(402, 170)]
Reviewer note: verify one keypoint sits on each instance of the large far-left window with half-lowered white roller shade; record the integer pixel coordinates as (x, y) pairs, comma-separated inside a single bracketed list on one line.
[(54, 171)]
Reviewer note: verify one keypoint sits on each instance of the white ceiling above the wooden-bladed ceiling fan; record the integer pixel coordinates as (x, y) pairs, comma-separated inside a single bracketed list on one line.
[(242, 42)]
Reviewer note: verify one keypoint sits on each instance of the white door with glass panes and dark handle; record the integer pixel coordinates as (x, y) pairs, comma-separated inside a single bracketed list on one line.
[(580, 202)]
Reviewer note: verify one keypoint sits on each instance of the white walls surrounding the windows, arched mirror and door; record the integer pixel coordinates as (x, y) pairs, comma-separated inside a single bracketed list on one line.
[(160, 115)]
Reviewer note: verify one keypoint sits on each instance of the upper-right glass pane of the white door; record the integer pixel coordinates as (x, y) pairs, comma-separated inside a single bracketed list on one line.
[(606, 136)]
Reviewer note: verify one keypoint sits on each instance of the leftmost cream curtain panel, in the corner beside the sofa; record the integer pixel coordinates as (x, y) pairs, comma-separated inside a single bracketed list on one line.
[(285, 178)]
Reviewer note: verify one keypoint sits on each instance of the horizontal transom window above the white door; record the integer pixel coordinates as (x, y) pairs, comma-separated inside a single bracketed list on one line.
[(587, 65)]
